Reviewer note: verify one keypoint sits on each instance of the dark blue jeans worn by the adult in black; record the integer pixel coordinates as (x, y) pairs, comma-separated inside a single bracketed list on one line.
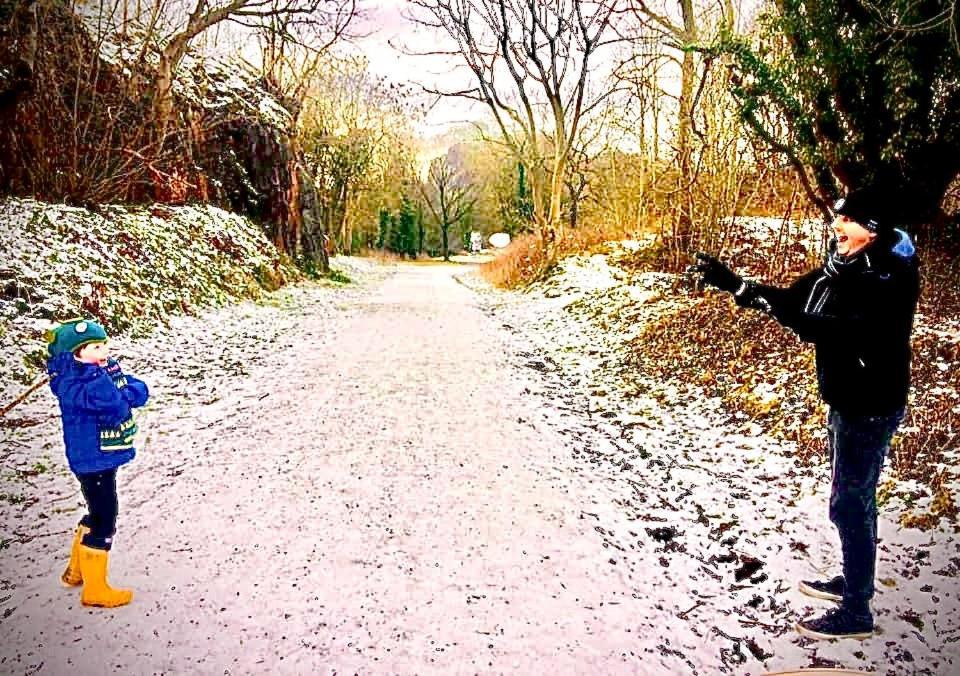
[(858, 446)]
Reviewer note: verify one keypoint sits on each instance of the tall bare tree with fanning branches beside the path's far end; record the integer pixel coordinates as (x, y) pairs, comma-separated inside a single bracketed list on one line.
[(533, 63)]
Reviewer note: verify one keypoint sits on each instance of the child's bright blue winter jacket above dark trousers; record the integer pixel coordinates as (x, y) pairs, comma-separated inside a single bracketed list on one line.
[(95, 403)]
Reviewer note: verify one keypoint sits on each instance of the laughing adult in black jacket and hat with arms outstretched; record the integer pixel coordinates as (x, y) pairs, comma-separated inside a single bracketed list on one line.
[(857, 309)]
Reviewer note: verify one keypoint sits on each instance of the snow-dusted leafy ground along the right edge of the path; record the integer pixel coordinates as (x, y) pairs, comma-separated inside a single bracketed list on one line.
[(734, 517)]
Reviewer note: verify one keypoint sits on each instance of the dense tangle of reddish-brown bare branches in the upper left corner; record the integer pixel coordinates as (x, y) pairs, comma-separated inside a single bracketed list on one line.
[(88, 142)]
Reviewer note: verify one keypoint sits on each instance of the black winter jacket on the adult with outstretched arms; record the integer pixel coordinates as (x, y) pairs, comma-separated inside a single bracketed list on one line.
[(859, 317)]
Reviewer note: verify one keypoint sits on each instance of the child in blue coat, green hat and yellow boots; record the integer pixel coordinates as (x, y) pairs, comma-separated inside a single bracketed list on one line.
[(98, 431)]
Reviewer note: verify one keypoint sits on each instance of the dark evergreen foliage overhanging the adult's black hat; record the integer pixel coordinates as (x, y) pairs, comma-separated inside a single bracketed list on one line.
[(858, 93)]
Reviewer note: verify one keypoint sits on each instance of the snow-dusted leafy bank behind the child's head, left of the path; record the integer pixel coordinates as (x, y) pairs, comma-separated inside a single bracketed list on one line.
[(129, 267)]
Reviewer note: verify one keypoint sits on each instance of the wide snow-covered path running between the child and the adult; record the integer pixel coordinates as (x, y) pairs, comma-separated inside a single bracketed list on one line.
[(365, 494)]
